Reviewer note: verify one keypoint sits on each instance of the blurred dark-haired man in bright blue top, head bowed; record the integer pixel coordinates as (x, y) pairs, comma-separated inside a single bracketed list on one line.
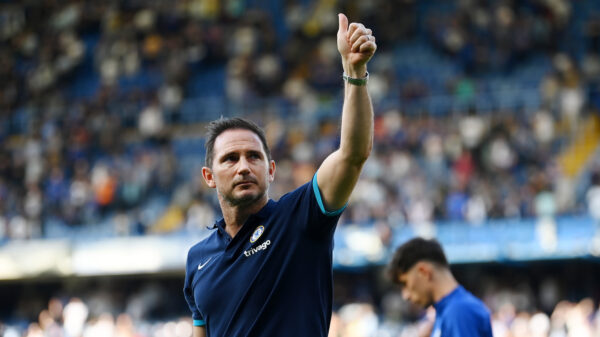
[(421, 269)]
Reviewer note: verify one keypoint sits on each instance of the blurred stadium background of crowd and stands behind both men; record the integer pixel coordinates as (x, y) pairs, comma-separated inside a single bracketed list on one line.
[(486, 137)]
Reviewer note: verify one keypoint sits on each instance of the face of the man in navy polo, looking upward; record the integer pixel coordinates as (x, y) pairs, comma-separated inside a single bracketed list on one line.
[(241, 171)]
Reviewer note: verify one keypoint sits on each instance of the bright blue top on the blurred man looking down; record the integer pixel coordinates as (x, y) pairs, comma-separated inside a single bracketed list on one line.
[(461, 314)]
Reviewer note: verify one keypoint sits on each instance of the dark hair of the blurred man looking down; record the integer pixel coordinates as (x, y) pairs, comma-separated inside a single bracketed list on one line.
[(413, 251)]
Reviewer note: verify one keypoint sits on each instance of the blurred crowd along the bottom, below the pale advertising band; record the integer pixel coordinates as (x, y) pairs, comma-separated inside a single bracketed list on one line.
[(100, 314)]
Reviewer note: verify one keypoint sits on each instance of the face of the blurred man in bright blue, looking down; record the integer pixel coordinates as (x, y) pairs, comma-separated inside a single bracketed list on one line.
[(415, 284)]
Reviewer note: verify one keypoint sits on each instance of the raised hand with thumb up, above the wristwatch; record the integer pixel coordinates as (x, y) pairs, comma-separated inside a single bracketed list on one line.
[(356, 45)]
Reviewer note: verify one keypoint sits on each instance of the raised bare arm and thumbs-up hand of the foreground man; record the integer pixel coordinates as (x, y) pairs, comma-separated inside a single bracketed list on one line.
[(339, 172)]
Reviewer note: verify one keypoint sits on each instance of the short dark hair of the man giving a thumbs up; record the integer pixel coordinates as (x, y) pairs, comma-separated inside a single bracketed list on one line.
[(217, 127)]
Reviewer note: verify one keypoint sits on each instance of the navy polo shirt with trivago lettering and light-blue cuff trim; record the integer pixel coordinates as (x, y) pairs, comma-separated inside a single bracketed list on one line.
[(274, 278)]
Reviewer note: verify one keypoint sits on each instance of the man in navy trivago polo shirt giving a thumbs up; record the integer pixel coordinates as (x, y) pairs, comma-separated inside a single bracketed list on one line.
[(266, 270)]
